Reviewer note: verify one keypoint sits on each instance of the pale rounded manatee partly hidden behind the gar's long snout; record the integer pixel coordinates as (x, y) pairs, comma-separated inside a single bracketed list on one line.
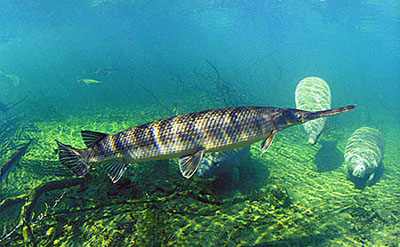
[(313, 94)]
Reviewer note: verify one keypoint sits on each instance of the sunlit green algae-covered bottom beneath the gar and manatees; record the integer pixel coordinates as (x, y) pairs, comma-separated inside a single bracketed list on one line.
[(155, 206)]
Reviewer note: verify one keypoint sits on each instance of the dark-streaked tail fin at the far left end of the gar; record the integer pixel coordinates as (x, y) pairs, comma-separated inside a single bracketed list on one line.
[(72, 158)]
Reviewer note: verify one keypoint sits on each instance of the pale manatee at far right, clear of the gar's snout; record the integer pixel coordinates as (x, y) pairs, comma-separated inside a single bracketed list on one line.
[(364, 153)]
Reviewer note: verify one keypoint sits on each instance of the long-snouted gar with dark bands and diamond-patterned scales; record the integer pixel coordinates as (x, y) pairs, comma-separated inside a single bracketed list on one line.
[(186, 137)]
